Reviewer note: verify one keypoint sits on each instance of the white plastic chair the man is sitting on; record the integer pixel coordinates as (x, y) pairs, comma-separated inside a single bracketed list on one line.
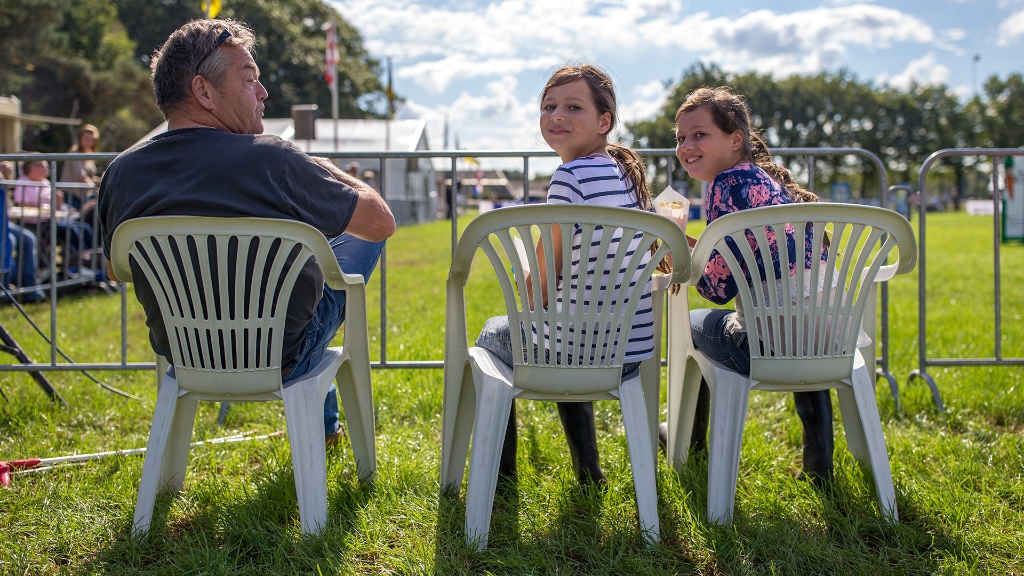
[(227, 340)]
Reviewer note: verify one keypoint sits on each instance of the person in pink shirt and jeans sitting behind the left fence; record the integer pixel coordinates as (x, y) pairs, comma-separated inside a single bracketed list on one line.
[(33, 191)]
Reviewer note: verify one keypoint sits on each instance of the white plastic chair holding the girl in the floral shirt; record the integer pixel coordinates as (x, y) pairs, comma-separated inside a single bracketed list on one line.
[(809, 340)]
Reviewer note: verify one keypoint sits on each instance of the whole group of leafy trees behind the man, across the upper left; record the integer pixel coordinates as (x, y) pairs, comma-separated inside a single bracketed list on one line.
[(90, 59)]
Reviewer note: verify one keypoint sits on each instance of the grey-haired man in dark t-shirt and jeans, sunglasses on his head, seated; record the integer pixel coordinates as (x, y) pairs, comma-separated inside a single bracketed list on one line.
[(212, 162)]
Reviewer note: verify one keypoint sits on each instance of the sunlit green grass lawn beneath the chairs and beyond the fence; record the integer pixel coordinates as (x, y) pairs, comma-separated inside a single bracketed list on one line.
[(958, 475)]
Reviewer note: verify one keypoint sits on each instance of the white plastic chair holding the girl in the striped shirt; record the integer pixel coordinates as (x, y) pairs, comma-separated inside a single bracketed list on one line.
[(480, 389)]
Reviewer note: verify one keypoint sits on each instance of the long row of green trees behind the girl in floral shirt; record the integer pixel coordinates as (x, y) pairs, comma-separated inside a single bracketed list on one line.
[(835, 109)]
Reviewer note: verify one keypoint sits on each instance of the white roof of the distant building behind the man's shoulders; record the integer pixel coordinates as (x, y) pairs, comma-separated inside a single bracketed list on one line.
[(354, 136)]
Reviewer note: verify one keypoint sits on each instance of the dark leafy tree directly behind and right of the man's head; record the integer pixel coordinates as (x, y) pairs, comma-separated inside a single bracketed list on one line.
[(291, 40)]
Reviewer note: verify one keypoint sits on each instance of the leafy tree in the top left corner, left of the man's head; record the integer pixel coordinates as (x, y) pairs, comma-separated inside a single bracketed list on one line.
[(74, 58)]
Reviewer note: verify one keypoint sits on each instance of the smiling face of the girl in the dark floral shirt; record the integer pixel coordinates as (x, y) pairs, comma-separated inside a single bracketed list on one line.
[(703, 149)]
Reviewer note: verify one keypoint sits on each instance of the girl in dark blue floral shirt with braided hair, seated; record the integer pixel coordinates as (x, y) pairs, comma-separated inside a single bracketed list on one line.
[(715, 145)]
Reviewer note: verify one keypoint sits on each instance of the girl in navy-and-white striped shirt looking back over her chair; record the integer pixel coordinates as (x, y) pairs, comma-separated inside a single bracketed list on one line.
[(578, 112)]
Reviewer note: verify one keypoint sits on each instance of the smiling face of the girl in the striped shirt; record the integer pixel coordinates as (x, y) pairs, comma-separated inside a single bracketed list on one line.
[(571, 124)]
